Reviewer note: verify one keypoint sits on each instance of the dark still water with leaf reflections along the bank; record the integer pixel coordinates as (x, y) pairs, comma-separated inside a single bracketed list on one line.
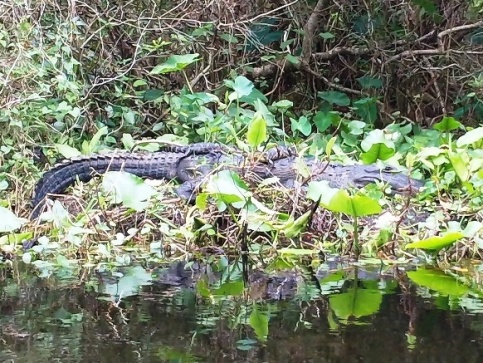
[(351, 316)]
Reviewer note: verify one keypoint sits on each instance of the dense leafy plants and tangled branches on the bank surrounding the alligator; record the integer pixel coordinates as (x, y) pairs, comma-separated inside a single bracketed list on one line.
[(398, 82)]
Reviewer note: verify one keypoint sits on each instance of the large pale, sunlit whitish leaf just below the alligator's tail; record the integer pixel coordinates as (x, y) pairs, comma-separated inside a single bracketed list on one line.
[(129, 189)]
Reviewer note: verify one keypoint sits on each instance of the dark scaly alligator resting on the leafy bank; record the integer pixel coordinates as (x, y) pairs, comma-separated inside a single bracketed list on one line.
[(189, 165)]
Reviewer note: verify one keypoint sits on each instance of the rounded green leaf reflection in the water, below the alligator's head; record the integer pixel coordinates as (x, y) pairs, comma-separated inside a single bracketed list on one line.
[(356, 303)]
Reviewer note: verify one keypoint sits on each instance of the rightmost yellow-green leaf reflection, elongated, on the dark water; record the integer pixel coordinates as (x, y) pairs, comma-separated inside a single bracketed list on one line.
[(438, 281)]
